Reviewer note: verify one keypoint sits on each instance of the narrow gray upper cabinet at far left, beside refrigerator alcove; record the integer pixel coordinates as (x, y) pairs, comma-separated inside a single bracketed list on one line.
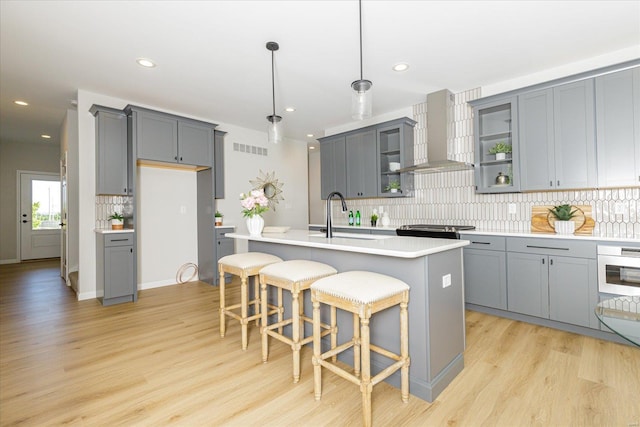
[(111, 151)]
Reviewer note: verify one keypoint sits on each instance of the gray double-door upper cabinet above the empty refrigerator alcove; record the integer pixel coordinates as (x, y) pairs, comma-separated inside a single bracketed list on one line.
[(171, 139)]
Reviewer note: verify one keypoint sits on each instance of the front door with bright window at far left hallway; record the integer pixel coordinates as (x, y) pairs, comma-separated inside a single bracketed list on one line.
[(39, 215)]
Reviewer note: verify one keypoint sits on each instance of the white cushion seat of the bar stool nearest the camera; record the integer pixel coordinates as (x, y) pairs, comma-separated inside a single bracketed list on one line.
[(362, 287)]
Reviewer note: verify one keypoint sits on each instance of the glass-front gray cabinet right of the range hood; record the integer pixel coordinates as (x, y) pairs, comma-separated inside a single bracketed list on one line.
[(496, 146)]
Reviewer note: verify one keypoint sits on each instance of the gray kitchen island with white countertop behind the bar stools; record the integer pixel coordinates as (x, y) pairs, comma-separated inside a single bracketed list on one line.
[(433, 270)]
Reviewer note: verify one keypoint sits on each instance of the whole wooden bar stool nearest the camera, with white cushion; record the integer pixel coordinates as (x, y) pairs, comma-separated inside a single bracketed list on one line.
[(363, 294)]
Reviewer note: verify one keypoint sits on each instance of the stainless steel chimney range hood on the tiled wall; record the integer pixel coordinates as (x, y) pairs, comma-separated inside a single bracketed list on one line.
[(438, 107)]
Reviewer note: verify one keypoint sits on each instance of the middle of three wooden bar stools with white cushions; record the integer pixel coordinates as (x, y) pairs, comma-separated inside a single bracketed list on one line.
[(295, 276)]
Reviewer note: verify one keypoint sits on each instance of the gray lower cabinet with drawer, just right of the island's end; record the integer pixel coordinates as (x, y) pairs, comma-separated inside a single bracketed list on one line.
[(485, 271)]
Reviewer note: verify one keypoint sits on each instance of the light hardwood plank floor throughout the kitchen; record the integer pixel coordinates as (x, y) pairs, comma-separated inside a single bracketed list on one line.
[(162, 361)]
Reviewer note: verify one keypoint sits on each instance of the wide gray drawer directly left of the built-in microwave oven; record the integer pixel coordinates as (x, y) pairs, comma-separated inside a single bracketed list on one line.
[(562, 247)]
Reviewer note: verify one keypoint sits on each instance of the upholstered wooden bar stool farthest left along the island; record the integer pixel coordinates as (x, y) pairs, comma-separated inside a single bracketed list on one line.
[(243, 265)]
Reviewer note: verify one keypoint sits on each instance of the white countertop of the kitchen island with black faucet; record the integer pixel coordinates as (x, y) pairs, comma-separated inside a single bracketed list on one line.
[(394, 246)]
